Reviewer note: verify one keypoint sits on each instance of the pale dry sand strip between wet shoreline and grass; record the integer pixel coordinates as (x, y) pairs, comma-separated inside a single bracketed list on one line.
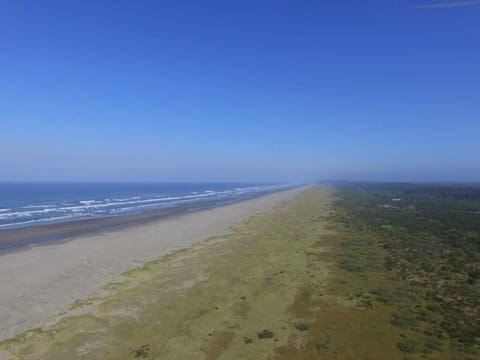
[(38, 284)]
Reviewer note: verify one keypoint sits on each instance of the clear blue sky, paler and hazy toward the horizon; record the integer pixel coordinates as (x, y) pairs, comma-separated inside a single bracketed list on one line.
[(239, 90)]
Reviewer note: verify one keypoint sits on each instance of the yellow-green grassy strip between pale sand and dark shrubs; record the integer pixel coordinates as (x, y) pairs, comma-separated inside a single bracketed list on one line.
[(315, 278)]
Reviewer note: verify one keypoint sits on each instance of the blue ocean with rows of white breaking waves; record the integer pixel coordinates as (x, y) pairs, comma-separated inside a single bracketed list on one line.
[(31, 204)]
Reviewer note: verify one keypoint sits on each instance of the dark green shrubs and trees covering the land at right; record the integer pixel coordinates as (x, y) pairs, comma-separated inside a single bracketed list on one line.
[(431, 238)]
